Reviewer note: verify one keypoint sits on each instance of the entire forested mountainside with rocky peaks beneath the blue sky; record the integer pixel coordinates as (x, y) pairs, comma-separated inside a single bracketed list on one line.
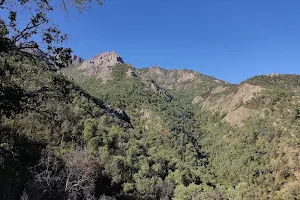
[(102, 129)]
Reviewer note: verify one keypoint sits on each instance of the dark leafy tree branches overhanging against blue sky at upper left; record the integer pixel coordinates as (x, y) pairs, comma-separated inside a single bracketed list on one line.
[(40, 36)]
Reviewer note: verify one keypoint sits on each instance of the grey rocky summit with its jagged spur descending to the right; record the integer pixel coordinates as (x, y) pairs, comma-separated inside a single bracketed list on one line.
[(109, 66)]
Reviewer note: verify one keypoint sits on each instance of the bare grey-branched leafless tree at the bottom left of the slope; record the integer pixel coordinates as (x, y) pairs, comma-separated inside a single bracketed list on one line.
[(73, 177)]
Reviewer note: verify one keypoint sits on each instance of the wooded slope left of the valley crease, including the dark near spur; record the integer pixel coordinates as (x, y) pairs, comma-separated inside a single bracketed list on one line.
[(81, 148)]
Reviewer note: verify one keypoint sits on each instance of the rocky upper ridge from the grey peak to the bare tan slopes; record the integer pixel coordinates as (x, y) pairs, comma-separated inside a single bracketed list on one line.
[(199, 89)]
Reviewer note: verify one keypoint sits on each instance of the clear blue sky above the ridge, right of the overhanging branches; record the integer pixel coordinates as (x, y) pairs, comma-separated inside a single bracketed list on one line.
[(229, 39)]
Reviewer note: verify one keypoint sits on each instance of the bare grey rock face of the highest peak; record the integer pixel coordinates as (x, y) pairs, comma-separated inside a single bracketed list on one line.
[(101, 65)]
